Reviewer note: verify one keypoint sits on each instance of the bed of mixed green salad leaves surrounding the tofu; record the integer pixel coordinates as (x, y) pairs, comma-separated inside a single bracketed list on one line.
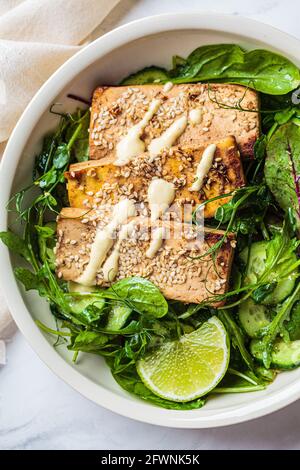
[(132, 318)]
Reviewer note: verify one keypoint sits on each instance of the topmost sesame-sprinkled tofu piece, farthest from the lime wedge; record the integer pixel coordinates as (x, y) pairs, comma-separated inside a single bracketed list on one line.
[(116, 109)]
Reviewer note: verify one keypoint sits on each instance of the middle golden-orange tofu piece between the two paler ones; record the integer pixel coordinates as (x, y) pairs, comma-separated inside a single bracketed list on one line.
[(97, 182)]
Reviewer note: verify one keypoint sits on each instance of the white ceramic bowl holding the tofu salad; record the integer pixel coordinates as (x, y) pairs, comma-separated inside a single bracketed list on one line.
[(144, 42)]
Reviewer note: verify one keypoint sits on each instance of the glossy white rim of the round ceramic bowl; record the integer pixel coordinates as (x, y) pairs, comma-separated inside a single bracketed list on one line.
[(137, 29)]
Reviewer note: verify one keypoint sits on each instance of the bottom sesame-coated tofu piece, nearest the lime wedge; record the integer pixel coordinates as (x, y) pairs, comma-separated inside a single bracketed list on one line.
[(173, 269)]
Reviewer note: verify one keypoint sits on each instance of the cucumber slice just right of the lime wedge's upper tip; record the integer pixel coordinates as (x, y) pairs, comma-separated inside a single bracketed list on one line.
[(253, 317)]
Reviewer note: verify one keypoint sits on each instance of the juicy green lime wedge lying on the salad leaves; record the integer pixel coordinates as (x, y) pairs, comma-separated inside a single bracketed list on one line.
[(190, 367)]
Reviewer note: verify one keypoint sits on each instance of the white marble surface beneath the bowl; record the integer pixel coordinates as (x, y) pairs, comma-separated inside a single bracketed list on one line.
[(38, 411)]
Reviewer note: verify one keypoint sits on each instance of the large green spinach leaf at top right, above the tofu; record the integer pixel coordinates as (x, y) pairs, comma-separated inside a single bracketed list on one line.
[(262, 70)]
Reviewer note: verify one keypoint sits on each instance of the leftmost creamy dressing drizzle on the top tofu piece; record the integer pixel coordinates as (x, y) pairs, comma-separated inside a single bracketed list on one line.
[(131, 145)]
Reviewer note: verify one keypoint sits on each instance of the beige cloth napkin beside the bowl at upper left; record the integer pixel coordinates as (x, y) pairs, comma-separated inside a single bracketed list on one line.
[(36, 37)]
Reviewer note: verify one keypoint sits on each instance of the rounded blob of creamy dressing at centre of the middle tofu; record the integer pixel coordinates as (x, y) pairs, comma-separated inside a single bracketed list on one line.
[(161, 194)]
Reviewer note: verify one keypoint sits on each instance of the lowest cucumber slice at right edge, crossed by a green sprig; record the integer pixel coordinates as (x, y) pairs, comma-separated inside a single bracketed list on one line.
[(284, 355)]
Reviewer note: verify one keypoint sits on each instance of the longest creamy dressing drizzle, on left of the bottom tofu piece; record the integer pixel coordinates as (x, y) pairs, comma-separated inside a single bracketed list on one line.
[(104, 241)]
